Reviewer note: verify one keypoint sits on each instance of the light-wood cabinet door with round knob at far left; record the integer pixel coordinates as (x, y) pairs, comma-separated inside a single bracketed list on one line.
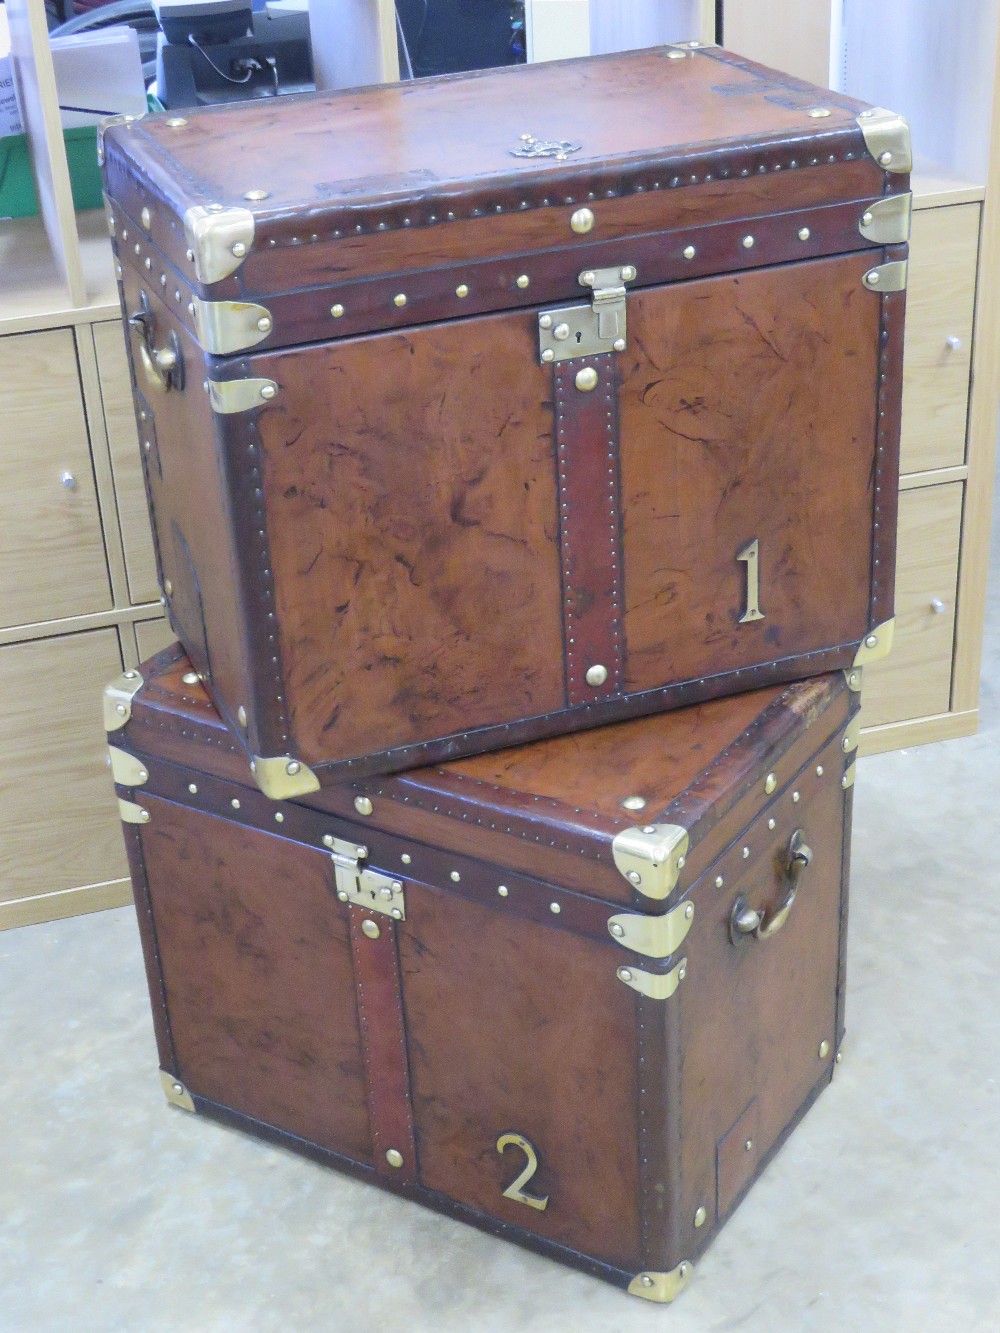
[(51, 543)]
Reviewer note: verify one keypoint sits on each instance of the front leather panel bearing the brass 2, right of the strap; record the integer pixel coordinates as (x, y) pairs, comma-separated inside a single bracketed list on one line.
[(522, 1030)]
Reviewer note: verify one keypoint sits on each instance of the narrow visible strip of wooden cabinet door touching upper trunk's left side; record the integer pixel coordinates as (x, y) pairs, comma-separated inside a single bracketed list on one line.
[(123, 442)]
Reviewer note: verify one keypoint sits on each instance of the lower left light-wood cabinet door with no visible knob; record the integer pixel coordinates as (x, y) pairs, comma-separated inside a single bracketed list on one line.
[(61, 827)]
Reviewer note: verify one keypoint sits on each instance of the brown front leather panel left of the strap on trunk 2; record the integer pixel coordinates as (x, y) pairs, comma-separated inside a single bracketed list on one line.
[(257, 968)]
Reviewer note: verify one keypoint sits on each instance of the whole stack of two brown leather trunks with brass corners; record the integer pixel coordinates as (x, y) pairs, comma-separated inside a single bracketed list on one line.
[(501, 489)]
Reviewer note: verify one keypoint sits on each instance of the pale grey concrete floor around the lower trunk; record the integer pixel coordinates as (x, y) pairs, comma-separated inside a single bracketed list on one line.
[(881, 1214)]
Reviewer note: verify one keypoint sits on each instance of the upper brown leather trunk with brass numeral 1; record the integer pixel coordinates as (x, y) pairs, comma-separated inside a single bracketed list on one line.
[(453, 446)]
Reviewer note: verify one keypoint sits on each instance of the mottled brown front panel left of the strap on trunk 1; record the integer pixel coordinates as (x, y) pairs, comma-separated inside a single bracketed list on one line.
[(411, 506)]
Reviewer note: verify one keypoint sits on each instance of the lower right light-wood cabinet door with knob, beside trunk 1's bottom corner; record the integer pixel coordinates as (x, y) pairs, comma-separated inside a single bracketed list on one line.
[(915, 679)]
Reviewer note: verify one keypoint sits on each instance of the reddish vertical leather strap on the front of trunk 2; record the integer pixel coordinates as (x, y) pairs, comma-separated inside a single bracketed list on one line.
[(385, 1044)]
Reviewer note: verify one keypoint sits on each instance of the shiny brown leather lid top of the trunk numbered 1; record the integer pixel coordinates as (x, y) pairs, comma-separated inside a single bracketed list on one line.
[(338, 163)]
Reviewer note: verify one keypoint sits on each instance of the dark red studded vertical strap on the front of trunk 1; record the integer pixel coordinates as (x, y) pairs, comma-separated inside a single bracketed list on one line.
[(587, 450)]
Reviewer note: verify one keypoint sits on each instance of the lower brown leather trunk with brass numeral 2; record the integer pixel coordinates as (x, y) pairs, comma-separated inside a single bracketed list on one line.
[(575, 994)]
